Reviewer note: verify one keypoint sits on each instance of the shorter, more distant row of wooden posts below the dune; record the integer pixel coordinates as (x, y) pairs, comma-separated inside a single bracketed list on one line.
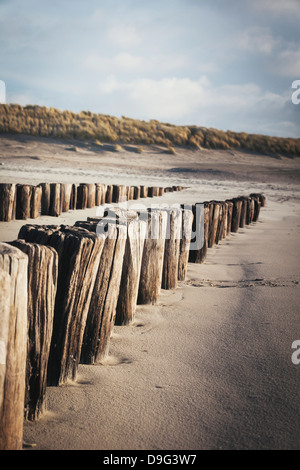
[(25, 201)]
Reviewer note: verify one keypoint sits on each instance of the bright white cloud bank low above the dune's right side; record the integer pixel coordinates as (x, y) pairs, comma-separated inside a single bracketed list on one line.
[(184, 101)]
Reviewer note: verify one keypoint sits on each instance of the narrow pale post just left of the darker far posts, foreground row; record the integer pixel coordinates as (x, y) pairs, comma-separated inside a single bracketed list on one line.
[(187, 221)]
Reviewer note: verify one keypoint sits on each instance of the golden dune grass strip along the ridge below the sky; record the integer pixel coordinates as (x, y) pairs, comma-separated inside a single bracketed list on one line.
[(99, 128)]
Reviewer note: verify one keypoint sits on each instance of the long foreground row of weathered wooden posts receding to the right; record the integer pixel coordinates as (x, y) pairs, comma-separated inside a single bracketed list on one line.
[(63, 288)]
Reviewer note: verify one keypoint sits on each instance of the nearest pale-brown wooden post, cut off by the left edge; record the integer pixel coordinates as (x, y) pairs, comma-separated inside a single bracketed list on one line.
[(13, 334)]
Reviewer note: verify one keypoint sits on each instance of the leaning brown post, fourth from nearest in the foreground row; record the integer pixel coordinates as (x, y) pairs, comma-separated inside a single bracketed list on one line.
[(102, 309)]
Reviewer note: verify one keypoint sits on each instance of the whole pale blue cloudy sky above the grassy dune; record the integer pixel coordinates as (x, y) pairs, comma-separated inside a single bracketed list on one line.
[(227, 64)]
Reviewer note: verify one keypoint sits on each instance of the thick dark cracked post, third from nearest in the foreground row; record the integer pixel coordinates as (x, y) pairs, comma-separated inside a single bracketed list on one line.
[(79, 256)]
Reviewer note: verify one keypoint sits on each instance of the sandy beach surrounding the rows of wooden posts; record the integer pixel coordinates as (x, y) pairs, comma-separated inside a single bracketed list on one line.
[(209, 366)]
